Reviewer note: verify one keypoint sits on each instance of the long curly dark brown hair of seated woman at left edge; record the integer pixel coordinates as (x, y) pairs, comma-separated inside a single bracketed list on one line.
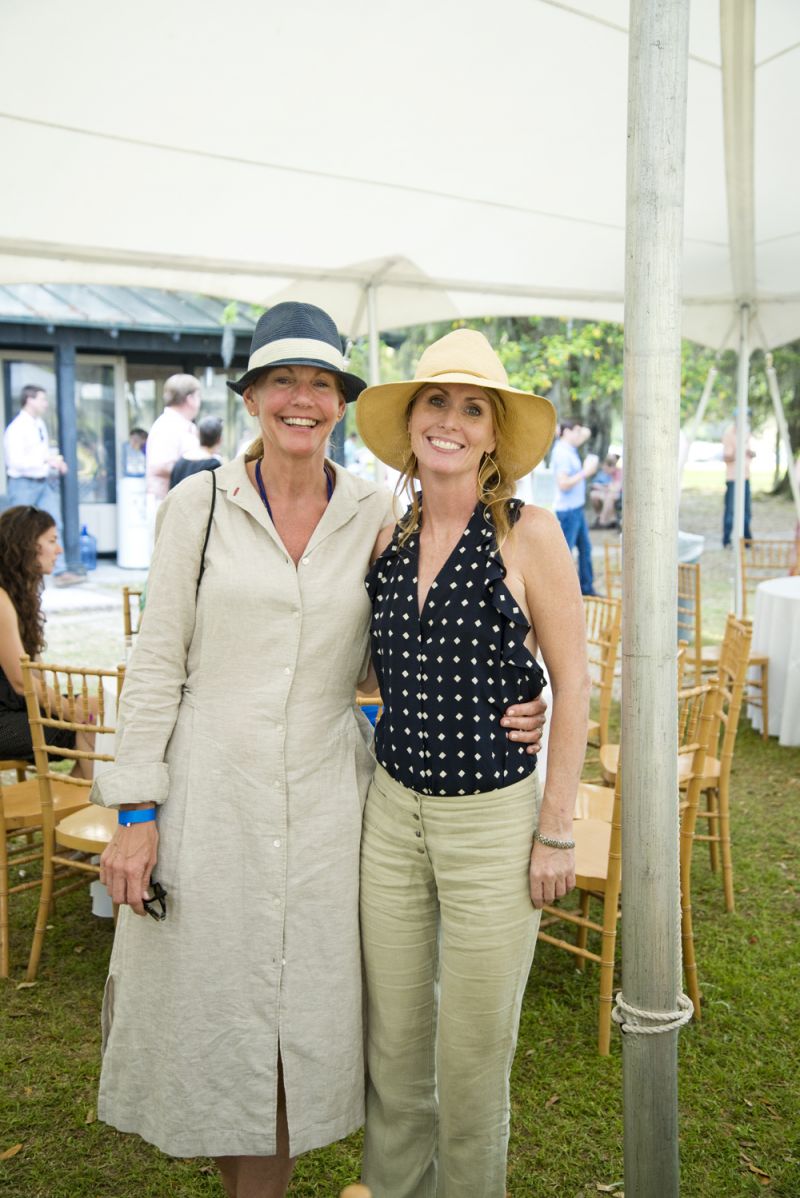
[(21, 576)]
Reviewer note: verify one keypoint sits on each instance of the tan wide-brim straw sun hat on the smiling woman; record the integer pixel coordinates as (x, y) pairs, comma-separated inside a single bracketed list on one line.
[(464, 356)]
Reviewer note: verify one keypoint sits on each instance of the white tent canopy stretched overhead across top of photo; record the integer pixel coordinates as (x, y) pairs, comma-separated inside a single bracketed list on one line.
[(468, 160)]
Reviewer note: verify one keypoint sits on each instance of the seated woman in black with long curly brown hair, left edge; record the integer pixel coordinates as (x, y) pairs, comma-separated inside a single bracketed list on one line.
[(29, 548)]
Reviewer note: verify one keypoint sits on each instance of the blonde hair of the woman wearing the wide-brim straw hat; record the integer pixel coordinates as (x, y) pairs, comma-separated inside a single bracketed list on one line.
[(495, 486)]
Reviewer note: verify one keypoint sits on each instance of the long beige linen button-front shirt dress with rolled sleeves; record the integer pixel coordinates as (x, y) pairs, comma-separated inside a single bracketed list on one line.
[(239, 719)]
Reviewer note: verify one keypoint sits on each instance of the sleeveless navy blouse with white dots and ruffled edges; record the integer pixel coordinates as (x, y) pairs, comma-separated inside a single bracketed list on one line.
[(449, 674)]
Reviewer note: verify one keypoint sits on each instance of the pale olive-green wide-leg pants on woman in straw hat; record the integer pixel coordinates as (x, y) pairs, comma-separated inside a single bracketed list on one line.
[(449, 934)]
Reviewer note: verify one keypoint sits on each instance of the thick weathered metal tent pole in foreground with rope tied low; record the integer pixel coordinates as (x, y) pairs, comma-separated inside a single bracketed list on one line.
[(657, 119)]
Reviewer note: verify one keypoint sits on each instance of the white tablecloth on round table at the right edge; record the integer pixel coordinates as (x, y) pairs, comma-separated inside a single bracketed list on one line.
[(777, 636)]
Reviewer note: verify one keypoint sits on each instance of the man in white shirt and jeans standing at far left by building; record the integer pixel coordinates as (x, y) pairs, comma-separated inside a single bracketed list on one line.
[(31, 463)]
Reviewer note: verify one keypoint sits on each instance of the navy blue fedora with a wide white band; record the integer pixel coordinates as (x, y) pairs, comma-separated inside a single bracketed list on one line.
[(298, 335)]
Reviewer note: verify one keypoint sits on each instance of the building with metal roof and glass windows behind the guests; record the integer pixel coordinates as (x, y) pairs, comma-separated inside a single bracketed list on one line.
[(102, 355)]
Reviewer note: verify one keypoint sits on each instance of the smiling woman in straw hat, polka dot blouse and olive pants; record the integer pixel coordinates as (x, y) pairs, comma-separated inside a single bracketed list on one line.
[(459, 849)]
